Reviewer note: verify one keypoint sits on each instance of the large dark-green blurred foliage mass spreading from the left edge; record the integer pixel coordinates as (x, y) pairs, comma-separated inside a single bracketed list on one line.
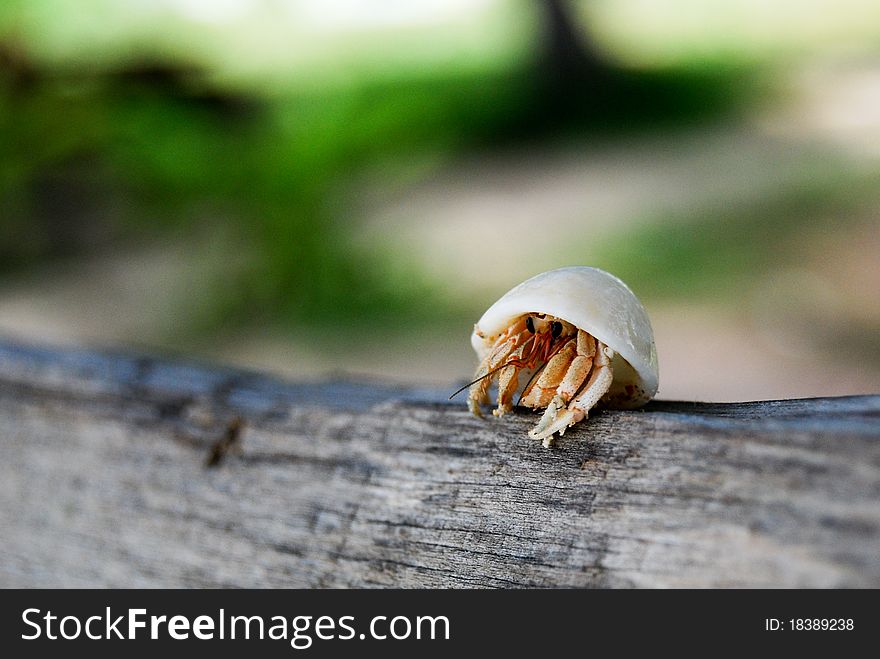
[(152, 146)]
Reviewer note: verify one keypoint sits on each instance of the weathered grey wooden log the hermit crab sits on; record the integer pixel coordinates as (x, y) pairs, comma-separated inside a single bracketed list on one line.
[(105, 481)]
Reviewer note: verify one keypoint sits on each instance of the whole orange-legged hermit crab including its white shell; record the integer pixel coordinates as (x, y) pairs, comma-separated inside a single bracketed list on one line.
[(578, 336)]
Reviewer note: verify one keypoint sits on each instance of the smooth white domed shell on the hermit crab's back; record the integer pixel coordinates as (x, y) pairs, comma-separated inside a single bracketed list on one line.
[(596, 302)]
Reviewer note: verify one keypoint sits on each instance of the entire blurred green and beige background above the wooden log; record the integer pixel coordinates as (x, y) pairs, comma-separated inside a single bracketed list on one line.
[(317, 187)]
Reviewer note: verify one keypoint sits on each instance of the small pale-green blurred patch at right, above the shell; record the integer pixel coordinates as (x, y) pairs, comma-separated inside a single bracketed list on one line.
[(722, 249)]
